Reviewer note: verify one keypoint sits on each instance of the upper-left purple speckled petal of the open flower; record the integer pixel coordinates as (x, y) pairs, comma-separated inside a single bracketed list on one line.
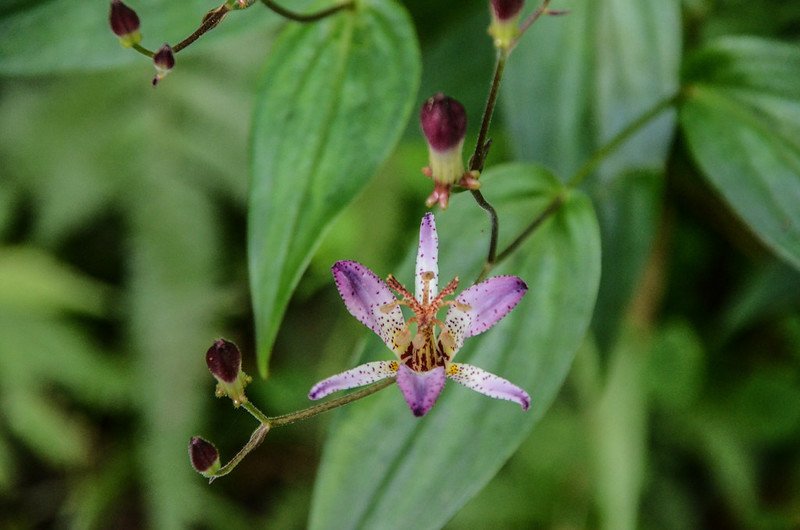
[(365, 294)]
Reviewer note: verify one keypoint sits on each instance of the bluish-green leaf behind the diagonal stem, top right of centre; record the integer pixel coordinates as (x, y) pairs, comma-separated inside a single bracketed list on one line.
[(576, 81)]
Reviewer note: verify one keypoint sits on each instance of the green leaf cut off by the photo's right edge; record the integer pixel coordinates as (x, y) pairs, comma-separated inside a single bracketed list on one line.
[(741, 118)]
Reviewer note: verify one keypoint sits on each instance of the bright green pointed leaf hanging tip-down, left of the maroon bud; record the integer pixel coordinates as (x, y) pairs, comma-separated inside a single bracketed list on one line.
[(336, 97)]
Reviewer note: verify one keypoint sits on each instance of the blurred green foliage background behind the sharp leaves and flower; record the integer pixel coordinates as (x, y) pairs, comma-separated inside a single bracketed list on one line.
[(122, 257)]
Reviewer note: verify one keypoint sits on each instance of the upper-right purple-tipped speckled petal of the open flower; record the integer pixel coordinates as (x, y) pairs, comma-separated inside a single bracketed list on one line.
[(488, 302)]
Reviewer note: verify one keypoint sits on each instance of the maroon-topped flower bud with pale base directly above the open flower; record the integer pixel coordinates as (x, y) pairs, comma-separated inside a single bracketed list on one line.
[(444, 122)]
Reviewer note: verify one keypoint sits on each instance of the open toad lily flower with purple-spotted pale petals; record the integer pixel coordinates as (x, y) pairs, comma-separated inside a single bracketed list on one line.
[(424, 357)]
